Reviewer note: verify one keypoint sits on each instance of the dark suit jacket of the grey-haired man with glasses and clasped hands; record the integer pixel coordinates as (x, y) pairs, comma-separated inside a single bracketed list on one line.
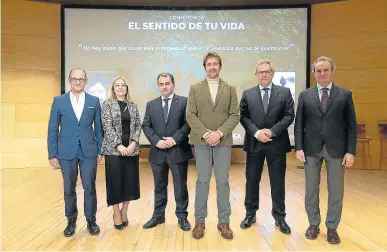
[(279, 116)]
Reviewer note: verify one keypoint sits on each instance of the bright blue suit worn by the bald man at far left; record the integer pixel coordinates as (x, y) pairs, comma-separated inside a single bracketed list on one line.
[(75, 143)]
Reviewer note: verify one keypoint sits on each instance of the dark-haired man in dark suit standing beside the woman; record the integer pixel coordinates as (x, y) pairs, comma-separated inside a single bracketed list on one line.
[(166, 128)]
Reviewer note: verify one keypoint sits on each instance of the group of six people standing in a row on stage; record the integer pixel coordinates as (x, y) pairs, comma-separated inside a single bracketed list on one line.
[(81, 132)]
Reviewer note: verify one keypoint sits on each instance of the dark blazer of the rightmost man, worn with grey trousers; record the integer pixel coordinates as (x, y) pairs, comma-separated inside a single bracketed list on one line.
[(336, 128)]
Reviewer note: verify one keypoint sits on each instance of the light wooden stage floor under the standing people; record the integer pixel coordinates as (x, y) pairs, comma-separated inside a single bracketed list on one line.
[(32, 215)]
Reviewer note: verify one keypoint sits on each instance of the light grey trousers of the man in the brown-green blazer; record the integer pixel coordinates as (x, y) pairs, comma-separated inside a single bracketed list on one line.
[(221, 156)]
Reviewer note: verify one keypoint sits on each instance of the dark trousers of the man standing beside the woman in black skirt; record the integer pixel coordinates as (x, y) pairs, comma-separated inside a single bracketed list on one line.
[(179, 175)]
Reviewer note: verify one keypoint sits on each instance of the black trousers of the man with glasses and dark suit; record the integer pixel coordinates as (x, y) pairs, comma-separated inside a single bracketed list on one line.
[(277, 169)]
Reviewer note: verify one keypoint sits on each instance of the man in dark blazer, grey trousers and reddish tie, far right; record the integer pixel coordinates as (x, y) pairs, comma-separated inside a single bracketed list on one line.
[(325, 130)]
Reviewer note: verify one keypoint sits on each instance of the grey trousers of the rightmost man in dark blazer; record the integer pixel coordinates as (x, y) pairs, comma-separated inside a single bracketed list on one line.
[(335, 181)]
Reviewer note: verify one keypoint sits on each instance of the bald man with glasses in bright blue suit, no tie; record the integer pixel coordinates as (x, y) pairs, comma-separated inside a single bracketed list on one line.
[(75, 139)]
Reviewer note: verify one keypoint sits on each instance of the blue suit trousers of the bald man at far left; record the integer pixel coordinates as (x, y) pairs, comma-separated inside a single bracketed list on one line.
[(88, 170)]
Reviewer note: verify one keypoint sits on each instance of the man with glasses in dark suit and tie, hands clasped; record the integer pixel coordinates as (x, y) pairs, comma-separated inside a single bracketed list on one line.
[(267, 110)]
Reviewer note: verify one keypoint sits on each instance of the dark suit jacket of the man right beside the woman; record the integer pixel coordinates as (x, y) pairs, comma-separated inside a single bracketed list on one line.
[(155, 129)]
